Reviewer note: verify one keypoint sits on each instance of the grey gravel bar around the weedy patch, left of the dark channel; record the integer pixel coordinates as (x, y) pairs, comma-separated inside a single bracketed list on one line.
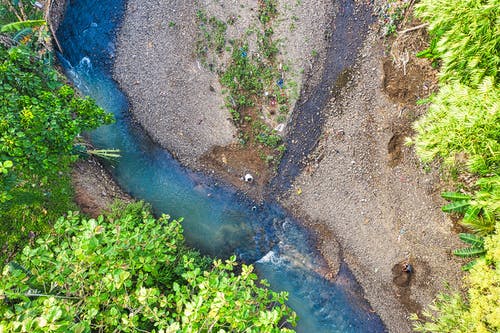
[(179, 100)]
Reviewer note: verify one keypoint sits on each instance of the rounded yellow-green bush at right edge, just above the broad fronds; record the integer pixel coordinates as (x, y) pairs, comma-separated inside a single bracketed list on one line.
[(462, 120)]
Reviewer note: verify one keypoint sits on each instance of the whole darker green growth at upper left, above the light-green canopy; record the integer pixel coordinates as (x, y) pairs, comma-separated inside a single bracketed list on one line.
[(40, 117)]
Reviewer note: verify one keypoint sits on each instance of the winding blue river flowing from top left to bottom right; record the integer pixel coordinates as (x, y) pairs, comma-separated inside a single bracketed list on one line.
[(218, 220)]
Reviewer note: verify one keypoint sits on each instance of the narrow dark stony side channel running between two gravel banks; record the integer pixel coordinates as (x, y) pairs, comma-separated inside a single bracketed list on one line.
[(349, 28)]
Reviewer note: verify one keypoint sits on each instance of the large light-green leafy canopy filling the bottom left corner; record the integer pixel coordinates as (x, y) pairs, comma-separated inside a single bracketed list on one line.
[(130, 272)]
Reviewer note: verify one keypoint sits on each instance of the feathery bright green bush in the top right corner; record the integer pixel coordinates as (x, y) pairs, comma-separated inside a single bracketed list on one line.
[(469, 37)]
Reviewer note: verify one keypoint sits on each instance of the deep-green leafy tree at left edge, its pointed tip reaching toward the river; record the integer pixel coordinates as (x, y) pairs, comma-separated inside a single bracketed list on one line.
[(40, 115)]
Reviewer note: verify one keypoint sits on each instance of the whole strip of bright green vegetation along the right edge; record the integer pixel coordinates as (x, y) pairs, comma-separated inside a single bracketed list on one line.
[(462, 128)]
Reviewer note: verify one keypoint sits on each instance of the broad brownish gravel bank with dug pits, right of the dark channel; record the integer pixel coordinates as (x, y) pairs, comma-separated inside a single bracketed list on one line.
[(370, 193)]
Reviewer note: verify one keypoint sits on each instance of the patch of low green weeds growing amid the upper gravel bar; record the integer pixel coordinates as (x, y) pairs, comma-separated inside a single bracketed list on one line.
[(256, 95)]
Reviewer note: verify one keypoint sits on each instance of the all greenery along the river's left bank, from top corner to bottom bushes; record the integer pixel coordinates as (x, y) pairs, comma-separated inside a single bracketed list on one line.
[(127, 271)]
